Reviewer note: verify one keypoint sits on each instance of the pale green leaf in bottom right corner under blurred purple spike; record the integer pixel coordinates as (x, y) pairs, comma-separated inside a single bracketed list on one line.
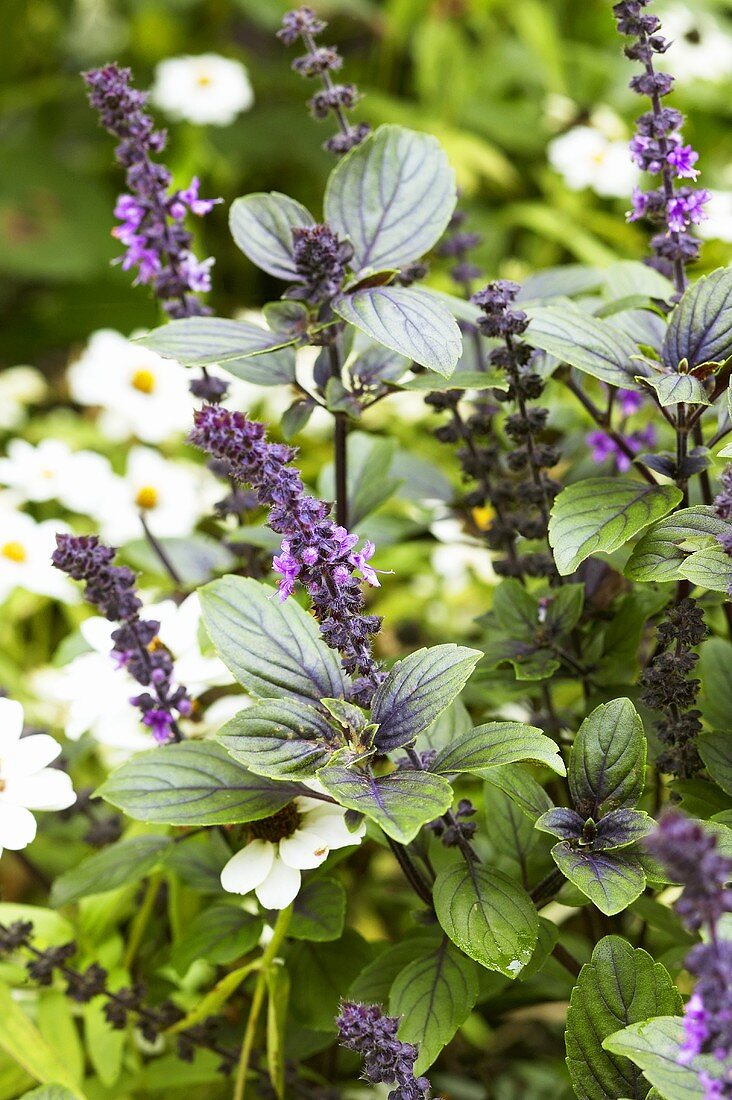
[(655, 1047)]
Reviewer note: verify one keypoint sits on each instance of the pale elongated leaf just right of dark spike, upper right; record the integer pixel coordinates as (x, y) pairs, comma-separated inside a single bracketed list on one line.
[(585, 343)]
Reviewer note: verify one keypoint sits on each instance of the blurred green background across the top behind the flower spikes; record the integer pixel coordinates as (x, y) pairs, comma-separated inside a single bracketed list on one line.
[(496, 81)]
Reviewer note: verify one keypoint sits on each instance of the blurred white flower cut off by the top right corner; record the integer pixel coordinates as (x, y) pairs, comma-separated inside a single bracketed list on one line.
[(702, 48)]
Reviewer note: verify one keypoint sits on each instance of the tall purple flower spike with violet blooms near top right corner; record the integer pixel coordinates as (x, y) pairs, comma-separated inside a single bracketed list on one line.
[(659, 148)]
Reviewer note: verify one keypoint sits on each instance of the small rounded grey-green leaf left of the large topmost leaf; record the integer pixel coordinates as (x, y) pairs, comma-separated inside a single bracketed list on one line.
[(263, 226)]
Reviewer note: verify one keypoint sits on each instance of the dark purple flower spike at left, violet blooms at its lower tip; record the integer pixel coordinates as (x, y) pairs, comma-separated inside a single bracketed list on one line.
[(112, 590)]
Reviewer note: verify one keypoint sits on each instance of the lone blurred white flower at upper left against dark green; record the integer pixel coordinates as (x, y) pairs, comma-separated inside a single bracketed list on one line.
[(209, 90)]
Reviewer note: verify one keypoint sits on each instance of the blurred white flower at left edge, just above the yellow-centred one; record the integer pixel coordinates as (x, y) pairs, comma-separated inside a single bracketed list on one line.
[(53, 472)]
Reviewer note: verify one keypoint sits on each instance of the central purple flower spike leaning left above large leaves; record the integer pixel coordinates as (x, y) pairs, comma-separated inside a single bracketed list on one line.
[(315, 552)]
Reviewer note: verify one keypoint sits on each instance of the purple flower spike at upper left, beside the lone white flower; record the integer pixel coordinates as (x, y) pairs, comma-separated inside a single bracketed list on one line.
[(152, 216)]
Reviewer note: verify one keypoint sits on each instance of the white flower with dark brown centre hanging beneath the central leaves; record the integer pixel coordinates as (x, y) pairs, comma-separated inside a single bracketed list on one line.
[(301, 837)]
